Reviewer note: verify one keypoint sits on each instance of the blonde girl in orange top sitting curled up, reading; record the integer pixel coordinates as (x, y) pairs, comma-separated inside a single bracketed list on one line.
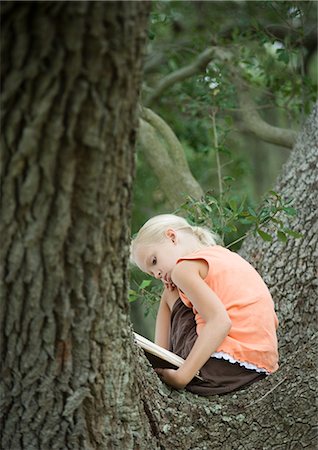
[(215, 310)]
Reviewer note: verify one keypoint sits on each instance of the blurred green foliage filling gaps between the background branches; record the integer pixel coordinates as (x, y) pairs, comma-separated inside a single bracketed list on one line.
[(269, 41)]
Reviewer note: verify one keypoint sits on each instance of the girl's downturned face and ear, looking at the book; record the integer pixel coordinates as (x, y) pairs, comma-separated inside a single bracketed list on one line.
[(158, 259)]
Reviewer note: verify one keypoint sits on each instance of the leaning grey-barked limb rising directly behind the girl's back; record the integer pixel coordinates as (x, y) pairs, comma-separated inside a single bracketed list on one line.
[(290, 270)]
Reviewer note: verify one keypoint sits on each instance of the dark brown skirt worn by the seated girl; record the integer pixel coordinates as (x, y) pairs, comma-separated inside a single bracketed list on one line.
[(219, 376)]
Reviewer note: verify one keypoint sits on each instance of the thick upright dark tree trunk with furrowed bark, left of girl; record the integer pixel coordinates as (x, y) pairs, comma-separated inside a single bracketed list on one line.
[(71, 73)]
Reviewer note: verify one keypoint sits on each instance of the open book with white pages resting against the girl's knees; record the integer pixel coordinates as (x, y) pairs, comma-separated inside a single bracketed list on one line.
[(159, 356)]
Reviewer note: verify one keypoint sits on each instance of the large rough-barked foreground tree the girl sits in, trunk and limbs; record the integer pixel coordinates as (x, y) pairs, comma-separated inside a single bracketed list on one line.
[(71, 375)]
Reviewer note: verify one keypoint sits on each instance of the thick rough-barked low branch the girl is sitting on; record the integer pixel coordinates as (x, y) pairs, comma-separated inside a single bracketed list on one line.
[(277, 409)]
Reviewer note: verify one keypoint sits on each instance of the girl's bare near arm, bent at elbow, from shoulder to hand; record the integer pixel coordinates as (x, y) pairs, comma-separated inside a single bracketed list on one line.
[(186, 275)]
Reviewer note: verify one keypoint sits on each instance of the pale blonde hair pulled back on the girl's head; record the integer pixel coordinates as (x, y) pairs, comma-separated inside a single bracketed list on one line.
[(154, 231)]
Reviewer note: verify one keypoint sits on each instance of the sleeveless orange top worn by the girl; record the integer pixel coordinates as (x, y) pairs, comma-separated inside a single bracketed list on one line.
[(248, 302)]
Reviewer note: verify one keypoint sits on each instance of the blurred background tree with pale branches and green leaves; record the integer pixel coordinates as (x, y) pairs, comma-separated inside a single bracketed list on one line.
[(248, 62)]
